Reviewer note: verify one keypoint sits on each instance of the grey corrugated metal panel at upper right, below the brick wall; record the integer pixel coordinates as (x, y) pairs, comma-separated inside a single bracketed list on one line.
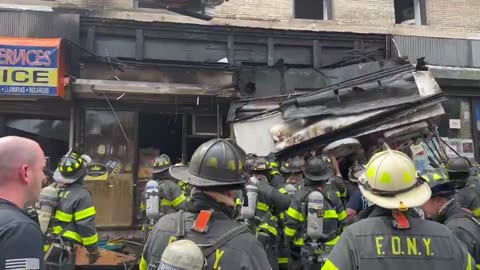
[(437, 51)]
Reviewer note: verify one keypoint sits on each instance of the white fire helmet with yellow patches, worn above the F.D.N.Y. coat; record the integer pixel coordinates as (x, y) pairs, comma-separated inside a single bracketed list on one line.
[(390, 181)]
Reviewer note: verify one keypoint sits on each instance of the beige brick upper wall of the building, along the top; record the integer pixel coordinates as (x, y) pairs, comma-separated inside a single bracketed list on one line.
[(454, 16)]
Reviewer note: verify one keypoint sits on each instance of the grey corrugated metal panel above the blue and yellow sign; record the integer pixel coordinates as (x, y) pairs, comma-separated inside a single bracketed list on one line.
[(40, 25)]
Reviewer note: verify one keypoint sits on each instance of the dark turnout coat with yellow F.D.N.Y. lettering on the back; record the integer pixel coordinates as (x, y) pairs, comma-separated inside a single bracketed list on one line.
[(375, 243)]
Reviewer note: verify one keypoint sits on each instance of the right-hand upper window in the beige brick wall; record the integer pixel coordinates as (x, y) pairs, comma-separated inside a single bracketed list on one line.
[(410, 12)]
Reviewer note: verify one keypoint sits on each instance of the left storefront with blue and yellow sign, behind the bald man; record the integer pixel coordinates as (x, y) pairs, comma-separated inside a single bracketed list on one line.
[(32, 93)]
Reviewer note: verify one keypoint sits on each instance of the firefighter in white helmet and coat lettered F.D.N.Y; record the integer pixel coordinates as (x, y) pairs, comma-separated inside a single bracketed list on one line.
[(393, 236)]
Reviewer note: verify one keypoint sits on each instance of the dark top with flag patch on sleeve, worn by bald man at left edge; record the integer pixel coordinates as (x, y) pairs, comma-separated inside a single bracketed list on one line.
[(21, 241)]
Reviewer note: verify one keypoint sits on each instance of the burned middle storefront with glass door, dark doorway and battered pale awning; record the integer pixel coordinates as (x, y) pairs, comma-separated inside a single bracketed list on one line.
[(123, 126)]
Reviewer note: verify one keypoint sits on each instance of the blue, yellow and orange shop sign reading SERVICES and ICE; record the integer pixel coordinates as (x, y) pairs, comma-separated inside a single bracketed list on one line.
[(31, 67)]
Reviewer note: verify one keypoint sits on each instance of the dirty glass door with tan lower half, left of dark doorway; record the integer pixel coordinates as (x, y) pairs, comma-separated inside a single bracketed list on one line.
[(109, 141)]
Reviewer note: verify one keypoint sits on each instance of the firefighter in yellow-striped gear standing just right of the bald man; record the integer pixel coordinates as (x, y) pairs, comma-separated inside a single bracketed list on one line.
[(73, 223)]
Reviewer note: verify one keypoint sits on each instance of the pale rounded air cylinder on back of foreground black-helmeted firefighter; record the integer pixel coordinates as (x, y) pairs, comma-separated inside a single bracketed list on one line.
[(182, 255)]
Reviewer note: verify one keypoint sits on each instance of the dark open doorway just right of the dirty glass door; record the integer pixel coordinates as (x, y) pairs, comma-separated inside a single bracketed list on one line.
[(161, 133)]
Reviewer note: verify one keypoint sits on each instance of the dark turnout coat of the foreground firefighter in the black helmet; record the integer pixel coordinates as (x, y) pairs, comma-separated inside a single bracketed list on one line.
[(241, 252)]
